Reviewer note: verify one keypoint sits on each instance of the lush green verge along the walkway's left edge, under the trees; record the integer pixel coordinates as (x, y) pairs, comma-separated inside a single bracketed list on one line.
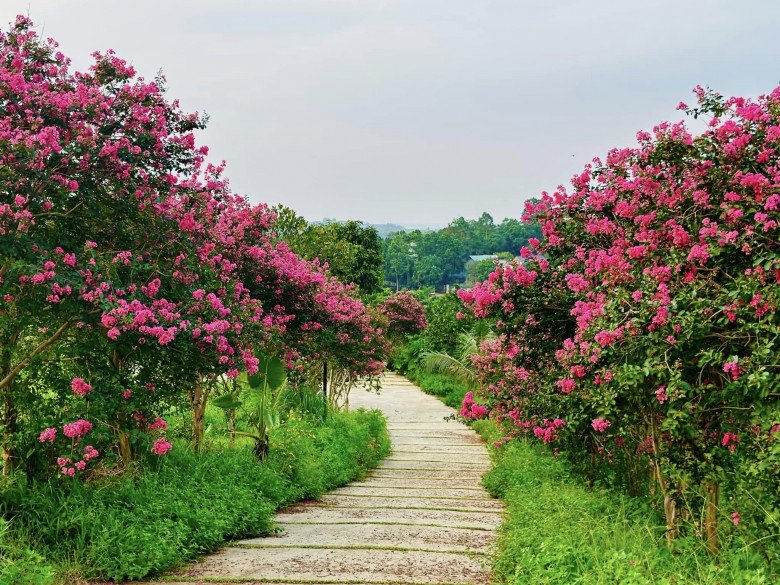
[(135, 525)]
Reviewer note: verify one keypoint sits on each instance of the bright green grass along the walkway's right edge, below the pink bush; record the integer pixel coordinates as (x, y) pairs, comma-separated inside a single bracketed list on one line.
[(557, 530)]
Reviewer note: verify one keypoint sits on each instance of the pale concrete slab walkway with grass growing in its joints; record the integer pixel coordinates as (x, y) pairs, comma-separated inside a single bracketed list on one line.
[(421, 517)]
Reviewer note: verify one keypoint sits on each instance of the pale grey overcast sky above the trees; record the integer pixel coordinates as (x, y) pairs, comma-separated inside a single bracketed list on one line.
[(418, 111)]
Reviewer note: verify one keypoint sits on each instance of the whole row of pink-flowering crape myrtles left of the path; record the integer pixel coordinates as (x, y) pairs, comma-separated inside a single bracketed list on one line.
[(129, 273)]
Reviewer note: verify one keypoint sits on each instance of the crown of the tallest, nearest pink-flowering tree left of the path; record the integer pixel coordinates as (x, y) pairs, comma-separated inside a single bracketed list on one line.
[(100, 178)]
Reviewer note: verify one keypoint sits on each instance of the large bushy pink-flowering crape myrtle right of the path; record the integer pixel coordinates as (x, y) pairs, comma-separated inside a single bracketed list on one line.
[(643, 330)]
